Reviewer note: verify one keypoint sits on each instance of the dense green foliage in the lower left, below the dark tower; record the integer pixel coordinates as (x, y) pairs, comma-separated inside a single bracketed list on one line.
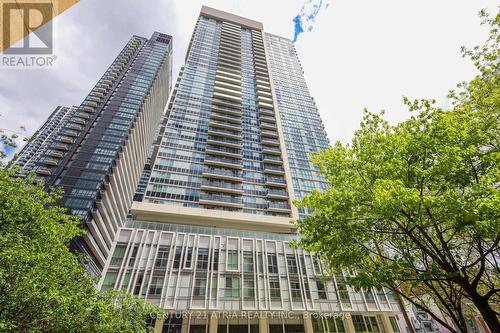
[(43, 286)]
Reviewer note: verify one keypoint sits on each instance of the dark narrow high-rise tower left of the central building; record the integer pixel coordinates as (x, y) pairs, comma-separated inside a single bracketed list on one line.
[(96, 151)]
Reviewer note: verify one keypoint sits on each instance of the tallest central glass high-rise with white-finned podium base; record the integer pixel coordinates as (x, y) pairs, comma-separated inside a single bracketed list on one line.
[(208, 236)]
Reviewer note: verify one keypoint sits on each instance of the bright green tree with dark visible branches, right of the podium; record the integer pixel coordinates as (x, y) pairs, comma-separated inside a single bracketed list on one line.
[(415, 207)]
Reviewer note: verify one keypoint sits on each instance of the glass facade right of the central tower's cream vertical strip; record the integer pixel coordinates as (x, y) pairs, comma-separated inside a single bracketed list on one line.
[(303, 129)]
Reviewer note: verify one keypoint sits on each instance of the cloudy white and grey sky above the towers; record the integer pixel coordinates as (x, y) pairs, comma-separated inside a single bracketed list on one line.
[(355, 53)]
